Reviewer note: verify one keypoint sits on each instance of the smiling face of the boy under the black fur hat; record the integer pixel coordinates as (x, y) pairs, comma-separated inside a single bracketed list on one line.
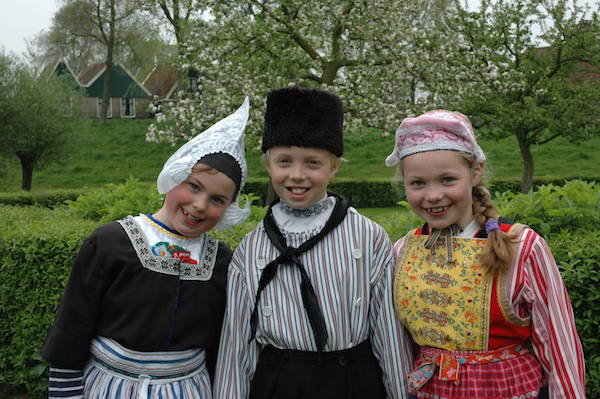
[(300, 175)]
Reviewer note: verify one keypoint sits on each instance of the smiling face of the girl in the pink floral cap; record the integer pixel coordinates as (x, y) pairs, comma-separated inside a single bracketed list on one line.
[(439, 185)]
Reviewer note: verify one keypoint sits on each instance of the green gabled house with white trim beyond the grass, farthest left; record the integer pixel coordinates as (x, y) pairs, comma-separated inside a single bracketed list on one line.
[(128, 98)]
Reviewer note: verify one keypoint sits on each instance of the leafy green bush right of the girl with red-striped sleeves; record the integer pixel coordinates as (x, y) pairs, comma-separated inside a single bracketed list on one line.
[(569, 216)]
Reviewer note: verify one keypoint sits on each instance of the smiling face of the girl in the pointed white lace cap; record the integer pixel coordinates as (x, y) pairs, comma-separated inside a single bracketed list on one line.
[(197, 204)]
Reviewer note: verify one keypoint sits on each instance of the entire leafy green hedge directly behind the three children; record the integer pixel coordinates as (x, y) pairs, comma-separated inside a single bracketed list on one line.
[(37, 246)]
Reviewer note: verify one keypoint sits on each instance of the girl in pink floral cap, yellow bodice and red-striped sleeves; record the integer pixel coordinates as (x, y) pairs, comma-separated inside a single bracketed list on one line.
[(481, 297)]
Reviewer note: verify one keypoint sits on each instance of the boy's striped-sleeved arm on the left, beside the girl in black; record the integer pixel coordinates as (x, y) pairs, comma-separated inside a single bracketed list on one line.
[(237, 357)]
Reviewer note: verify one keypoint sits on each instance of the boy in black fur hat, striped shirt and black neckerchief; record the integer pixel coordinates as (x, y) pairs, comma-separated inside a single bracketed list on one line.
[(310, 311)]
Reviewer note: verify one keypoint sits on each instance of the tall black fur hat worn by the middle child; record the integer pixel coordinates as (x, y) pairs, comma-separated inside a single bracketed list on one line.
[(304, 117)]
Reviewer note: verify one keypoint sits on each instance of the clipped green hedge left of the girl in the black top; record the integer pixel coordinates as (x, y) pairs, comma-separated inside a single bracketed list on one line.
[(37, 246)]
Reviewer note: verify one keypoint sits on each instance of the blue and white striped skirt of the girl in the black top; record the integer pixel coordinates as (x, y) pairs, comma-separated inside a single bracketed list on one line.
[(116, 372)]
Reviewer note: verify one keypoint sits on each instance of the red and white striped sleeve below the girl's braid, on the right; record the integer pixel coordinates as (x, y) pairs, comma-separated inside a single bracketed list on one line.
[(554, 337)]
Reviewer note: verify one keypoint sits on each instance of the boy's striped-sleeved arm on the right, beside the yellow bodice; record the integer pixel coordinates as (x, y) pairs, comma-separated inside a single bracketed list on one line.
[(391, 343)]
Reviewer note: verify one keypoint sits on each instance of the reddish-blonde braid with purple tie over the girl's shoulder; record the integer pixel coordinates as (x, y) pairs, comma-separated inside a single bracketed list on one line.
[(498, 253)]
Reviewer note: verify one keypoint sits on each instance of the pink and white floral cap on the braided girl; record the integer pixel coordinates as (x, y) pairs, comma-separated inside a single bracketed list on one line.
[(433, 131)]
